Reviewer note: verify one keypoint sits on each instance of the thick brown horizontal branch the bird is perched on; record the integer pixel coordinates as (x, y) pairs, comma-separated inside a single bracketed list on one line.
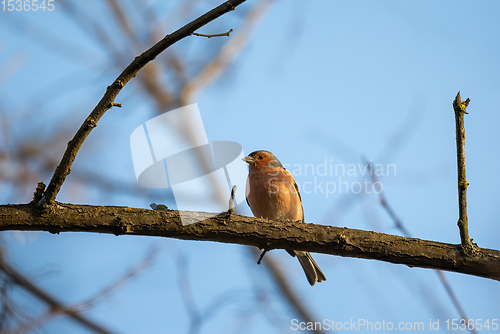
[(254, 232)]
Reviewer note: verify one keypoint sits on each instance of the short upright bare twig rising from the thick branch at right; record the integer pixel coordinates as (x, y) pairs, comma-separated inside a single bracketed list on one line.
[(460, 109)]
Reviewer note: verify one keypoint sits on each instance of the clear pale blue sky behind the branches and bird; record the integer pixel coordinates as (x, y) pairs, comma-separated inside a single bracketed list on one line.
[(341, 81)]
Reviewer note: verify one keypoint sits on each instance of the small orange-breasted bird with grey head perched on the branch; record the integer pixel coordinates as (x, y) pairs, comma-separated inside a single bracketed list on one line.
[(272, 193)]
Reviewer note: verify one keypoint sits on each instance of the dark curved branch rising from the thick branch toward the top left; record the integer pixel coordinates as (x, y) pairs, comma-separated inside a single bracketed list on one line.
[(63, 169)]
